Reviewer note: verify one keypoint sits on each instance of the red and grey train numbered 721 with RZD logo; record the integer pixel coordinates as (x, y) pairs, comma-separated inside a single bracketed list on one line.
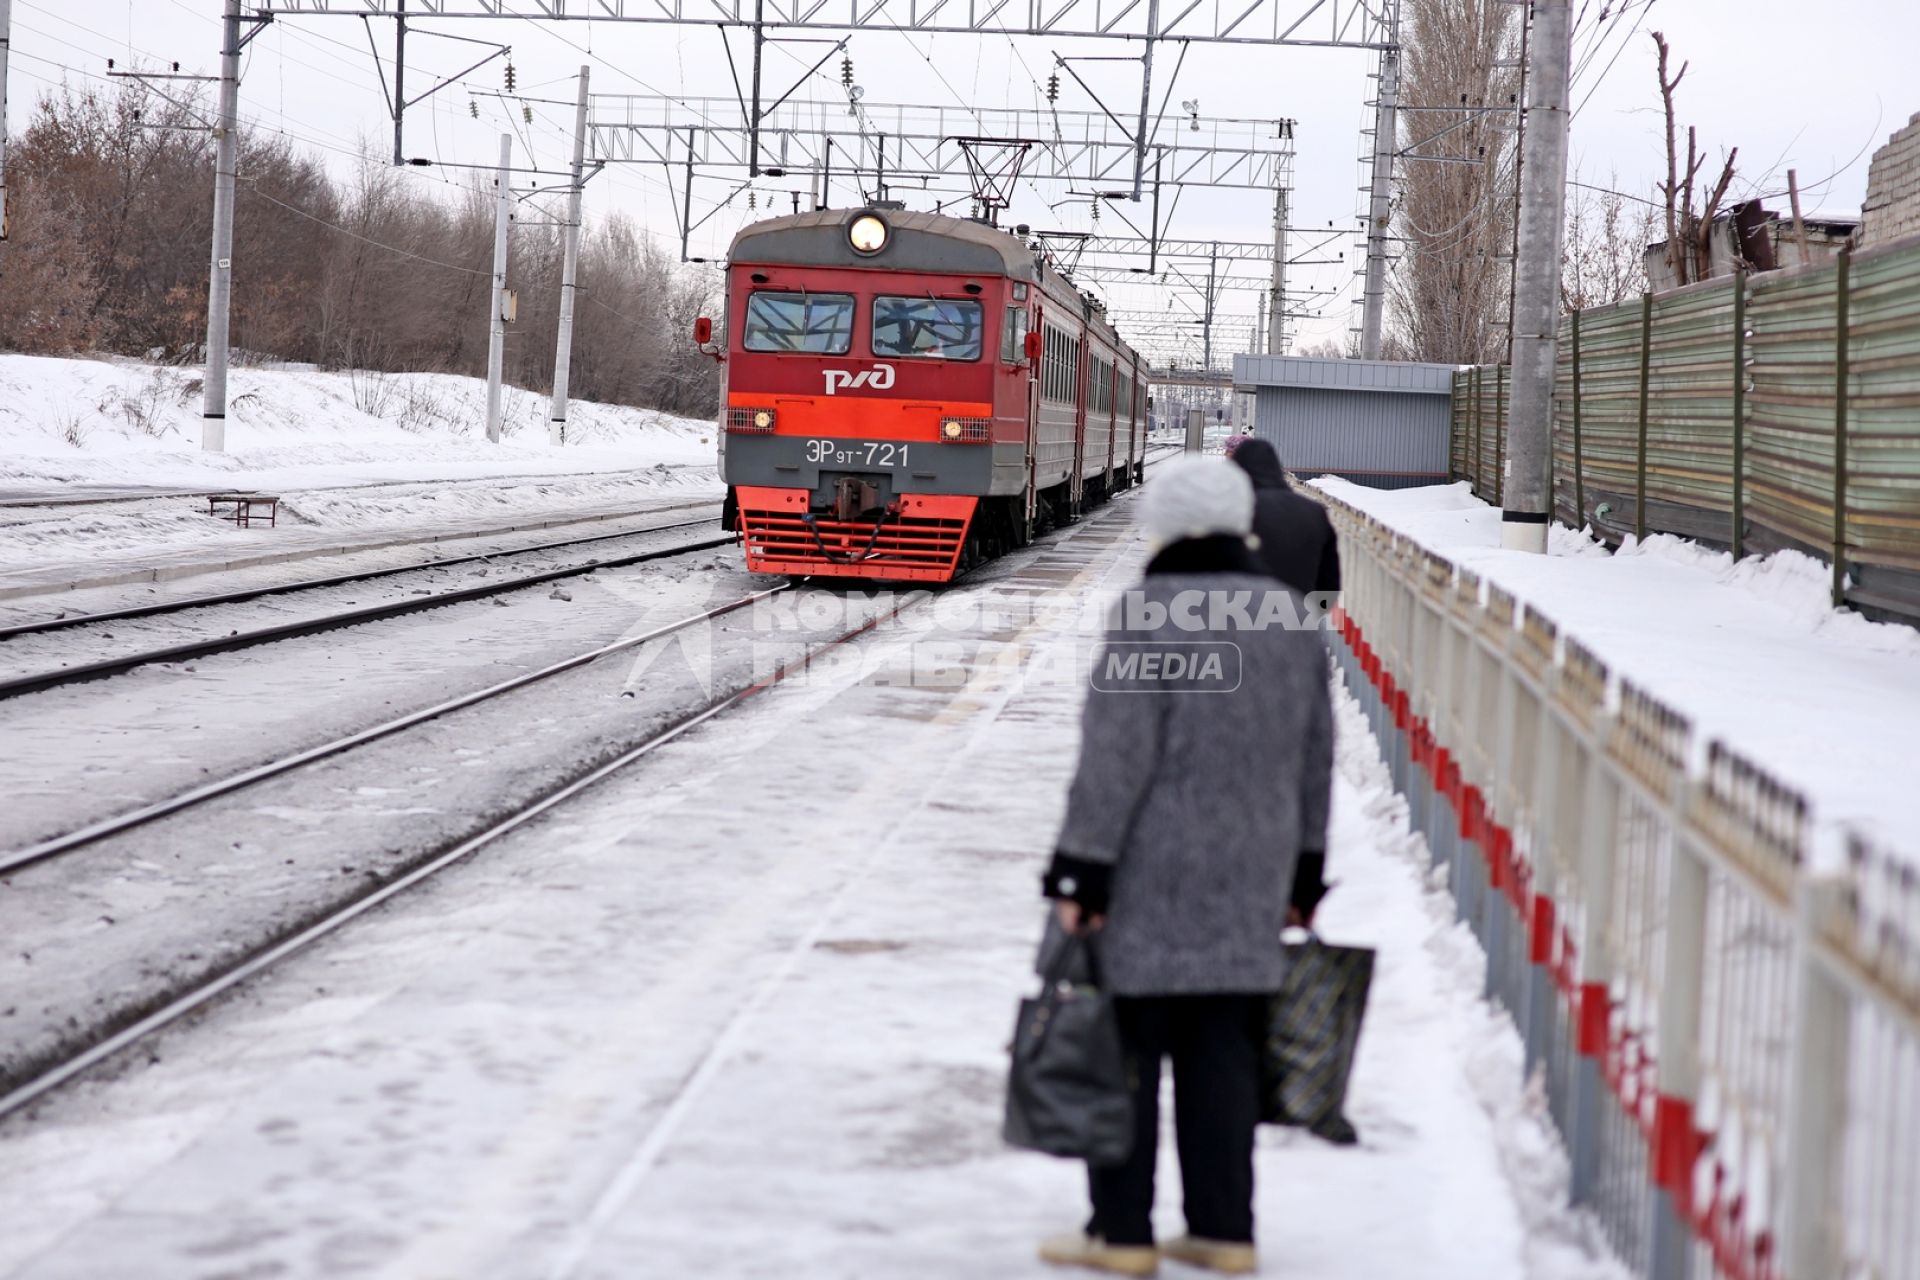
[(907, 394)]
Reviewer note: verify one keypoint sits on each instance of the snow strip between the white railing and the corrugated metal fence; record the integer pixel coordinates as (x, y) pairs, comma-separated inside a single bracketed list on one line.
[(1752, 653)]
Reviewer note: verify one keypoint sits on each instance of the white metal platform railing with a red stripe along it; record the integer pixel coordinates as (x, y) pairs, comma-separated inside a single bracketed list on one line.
[(1727, 1020)]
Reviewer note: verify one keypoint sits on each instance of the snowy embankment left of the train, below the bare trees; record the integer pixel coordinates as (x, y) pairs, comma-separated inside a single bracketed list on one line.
[(350, 456)]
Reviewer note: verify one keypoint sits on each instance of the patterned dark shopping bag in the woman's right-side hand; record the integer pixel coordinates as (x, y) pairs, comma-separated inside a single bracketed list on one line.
[(1312, 1033)]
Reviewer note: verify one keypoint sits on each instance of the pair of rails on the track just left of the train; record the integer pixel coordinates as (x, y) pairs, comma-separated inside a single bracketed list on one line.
[(37, 682)]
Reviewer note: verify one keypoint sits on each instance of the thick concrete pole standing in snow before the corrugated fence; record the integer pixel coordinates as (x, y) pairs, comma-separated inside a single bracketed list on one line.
[(1537, 295)]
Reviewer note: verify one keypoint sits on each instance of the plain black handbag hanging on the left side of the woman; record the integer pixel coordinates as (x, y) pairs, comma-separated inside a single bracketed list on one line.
[(1068, 1091)]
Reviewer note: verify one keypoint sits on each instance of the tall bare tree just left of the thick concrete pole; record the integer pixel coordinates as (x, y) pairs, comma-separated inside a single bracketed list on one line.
[(1458, 187)]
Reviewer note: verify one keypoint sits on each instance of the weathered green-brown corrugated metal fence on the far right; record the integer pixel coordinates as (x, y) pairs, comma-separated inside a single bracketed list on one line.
[(1754, 412)]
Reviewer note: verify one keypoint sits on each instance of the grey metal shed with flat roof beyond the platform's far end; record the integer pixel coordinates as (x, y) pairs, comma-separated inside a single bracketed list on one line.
[(1376, 423)]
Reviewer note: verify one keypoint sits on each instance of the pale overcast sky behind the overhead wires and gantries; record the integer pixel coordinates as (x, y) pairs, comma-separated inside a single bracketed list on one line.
[(1792, 85)]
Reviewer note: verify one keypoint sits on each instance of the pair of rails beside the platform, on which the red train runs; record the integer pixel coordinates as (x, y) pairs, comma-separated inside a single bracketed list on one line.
[(36, 1079)]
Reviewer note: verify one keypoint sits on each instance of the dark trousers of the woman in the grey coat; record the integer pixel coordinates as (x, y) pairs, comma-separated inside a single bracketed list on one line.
[(1214, 1043)]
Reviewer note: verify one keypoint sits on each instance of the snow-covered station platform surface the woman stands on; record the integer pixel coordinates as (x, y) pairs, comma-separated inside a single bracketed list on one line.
[(744, 1014)]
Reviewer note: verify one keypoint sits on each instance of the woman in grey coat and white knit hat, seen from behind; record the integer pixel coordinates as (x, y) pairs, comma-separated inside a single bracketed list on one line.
[(1199, 788)]
